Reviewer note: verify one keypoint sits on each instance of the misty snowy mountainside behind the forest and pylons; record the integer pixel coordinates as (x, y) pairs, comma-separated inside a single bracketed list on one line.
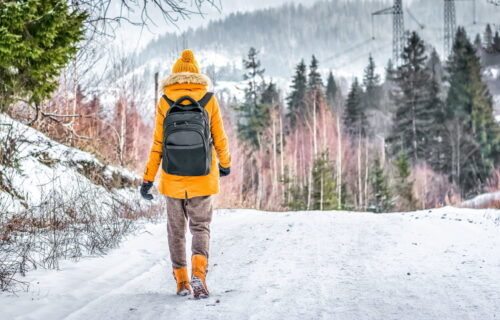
[(339, 33)]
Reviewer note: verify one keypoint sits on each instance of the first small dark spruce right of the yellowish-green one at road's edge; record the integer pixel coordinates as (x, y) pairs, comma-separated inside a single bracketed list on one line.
[(381, 196)]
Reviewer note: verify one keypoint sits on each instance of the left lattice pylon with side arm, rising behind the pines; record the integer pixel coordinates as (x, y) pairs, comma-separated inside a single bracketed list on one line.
[(398, 28)]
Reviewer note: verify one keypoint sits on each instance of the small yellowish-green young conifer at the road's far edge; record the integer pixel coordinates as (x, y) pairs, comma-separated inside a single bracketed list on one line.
[(324, 186)]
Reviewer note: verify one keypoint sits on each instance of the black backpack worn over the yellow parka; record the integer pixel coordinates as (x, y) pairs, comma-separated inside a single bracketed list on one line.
[(187, 140)]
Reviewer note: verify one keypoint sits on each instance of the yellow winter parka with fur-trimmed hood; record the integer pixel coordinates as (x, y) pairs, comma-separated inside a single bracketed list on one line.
[(194, 85)]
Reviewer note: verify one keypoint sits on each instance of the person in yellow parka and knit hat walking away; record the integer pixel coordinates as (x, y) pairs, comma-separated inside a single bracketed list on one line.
[(188, 140)]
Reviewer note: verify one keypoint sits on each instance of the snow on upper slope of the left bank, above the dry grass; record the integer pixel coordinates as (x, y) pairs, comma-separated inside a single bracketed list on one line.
[(48, 168)]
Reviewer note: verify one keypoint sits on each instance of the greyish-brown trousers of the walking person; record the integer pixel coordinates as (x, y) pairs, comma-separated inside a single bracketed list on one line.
[(197, 212)]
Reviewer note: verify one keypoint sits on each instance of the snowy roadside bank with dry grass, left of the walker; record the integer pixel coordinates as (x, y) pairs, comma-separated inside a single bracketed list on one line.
[(57, 203)]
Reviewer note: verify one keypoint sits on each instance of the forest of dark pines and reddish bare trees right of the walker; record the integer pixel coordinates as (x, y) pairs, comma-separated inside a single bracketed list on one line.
[(424, 137)]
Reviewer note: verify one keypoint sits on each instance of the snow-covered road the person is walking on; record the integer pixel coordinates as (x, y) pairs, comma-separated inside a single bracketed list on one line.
[(443, 264)]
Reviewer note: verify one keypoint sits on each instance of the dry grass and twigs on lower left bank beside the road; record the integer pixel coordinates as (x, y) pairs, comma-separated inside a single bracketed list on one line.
[(64, 228)]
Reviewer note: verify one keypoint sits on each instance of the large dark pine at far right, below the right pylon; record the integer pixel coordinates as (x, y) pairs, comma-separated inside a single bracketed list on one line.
[(474, 136)]
